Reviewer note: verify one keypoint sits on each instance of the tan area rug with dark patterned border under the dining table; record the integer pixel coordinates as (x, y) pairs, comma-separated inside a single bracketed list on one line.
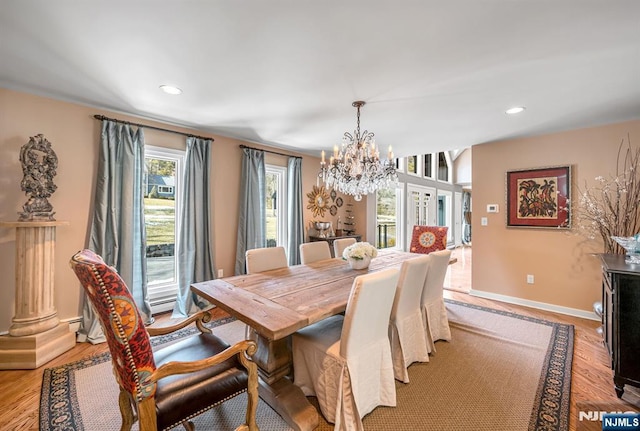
[(501, 371)]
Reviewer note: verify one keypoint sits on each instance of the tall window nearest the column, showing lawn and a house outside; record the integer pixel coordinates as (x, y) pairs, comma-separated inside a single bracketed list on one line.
[(163, 172)]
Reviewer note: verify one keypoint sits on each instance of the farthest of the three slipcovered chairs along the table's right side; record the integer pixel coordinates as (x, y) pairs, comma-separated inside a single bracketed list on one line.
[(434, 311)]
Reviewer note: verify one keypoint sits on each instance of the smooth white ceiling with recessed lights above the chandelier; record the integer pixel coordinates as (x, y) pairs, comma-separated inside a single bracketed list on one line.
[(436, 75)]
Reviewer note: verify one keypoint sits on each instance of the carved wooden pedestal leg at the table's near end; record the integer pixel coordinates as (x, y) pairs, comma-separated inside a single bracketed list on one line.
[(274, 360)]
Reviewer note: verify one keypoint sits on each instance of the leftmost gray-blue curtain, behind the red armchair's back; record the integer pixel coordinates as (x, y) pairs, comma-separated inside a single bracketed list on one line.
[(117, 227)]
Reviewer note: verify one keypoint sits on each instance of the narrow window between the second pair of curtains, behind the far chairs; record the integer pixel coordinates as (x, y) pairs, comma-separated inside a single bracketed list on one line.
[(276, 198)]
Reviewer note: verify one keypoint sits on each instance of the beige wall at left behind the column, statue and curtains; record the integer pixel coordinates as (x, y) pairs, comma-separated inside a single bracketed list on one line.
[(74, 135)]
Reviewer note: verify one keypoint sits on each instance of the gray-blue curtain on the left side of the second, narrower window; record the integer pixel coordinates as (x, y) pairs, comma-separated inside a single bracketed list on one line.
[(252, 213)]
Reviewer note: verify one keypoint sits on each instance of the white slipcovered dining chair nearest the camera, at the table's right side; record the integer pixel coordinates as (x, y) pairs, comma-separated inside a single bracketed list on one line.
[(345, 361)]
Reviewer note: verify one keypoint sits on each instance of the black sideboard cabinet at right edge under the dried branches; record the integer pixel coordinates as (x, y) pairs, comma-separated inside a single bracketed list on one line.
[(621, 319)]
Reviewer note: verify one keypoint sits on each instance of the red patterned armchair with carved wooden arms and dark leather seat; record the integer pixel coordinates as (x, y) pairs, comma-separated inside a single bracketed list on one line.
[(172, 385)]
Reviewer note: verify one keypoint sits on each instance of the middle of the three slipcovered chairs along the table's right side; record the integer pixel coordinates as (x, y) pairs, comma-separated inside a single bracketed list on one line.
[(406, 326)]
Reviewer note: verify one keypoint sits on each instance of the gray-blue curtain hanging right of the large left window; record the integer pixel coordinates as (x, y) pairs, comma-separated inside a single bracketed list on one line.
[(195, 260)]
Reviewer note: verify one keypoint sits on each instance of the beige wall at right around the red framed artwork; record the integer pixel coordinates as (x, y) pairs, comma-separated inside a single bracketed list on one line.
[(565, 272)]
